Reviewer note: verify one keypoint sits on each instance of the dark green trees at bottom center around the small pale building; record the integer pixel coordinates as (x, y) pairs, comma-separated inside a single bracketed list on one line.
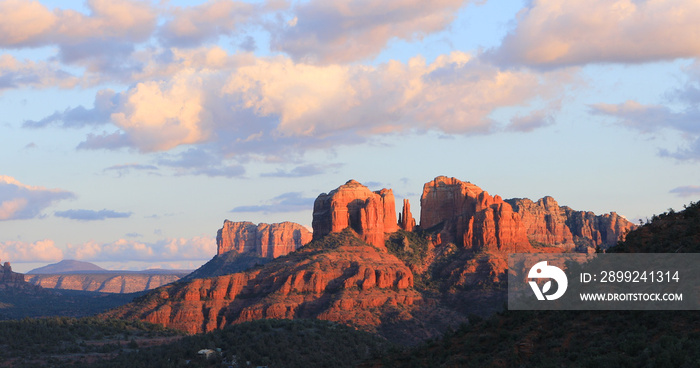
[(277, 343)]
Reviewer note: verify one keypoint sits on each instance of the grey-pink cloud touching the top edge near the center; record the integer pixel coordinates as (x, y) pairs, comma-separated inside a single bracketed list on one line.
[(349, 30)]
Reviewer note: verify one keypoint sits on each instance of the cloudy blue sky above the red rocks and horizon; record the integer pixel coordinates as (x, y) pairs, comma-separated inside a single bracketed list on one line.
[(130, 130)]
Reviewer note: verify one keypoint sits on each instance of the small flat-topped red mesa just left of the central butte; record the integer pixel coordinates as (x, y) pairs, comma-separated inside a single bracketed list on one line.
[(263, 240)]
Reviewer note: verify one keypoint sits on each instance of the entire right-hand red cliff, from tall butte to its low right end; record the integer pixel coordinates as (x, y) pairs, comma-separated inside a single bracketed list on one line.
[(467, 215)]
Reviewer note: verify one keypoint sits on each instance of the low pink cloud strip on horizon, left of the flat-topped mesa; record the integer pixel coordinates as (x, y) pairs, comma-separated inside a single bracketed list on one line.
[(197, 248)]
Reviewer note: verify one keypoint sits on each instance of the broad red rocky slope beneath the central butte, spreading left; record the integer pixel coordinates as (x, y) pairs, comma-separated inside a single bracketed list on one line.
[(349, 284)]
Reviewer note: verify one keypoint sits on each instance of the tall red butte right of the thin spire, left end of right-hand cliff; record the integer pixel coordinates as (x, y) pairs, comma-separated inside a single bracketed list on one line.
[(470, 217)]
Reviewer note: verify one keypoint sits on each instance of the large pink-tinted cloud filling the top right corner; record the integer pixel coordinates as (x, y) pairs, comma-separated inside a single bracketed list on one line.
[(553, 33)]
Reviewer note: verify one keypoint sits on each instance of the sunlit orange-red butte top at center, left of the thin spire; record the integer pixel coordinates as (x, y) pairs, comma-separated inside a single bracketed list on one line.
[(369, 214)]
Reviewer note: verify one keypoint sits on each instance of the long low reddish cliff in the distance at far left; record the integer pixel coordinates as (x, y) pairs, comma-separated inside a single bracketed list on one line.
[(102, 282)]
